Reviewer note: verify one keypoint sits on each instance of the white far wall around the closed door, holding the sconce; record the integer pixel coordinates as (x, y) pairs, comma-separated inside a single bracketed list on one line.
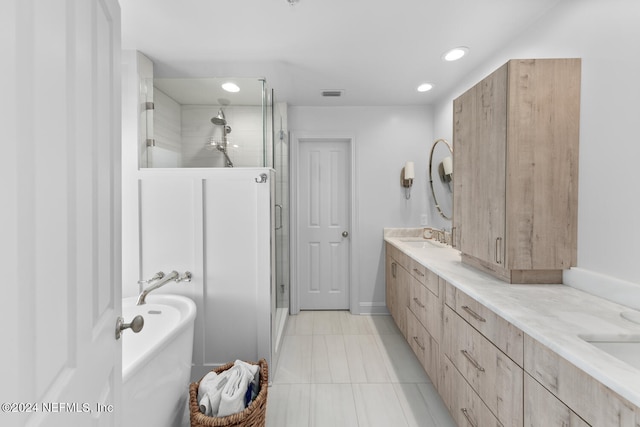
[(385, 138)]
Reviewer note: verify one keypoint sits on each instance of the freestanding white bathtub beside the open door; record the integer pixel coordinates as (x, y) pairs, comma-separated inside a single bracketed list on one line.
[(156, 362)]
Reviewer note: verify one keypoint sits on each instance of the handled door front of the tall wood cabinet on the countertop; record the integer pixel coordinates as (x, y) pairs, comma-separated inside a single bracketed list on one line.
[(480, 128)]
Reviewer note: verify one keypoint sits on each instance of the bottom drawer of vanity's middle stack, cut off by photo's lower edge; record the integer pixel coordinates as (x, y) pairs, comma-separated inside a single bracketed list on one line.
[(465, 406)]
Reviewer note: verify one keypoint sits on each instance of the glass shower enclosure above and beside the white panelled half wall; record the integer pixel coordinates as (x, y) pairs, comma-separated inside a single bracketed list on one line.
[(218, 123)]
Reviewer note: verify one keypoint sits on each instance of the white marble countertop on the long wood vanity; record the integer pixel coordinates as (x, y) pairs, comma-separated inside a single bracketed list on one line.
[(555, 315)]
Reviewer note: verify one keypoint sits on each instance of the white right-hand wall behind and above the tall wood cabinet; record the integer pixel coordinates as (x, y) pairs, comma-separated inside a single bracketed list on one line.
[(605, 35)]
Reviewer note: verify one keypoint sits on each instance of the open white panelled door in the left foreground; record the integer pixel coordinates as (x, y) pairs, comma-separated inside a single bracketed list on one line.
[(60, 220)]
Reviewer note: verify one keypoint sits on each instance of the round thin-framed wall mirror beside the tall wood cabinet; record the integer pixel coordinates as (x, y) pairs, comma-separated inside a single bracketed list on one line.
[(441, 177)]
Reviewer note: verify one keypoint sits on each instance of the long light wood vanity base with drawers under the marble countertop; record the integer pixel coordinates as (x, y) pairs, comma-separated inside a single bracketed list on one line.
[(488, 372)]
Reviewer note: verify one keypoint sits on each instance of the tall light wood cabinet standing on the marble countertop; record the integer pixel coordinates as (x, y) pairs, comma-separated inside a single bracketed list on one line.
[(515, 138)]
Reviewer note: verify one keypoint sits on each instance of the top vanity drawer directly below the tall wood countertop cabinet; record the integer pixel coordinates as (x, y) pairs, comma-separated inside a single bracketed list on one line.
[(501, 333)]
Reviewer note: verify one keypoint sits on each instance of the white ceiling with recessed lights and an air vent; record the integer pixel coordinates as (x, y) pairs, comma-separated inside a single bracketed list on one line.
[(377, 52)]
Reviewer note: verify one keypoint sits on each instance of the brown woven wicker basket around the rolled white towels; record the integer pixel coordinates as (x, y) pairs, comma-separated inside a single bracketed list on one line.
[(253, 415)]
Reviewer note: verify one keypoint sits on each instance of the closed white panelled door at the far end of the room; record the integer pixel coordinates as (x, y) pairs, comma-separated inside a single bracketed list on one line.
[(323, 224)]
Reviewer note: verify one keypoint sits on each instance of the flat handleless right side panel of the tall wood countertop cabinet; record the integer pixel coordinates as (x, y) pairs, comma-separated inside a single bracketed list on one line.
[(543, 135)]
